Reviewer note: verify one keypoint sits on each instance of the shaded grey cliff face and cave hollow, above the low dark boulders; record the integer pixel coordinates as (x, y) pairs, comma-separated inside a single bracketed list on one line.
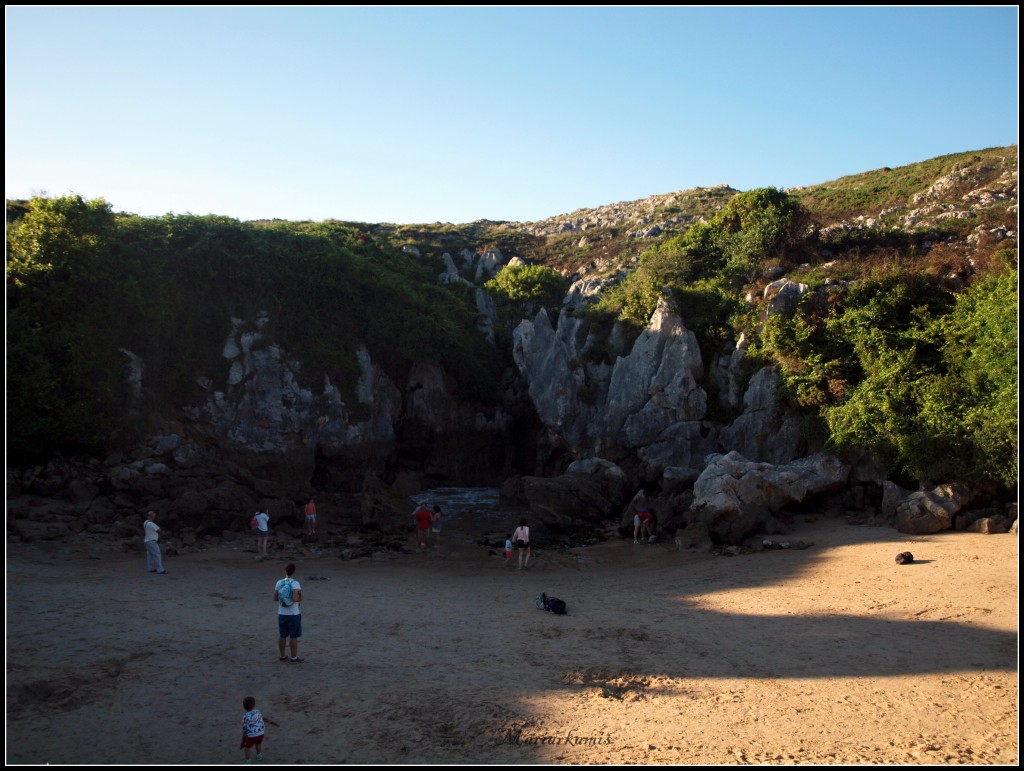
[(306, 437)]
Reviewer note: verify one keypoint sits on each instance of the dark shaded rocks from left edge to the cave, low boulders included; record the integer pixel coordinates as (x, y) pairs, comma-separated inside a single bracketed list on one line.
[(266, 439)]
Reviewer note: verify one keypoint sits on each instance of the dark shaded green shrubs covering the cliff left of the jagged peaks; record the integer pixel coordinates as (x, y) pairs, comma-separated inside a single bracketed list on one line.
[(84, 284)]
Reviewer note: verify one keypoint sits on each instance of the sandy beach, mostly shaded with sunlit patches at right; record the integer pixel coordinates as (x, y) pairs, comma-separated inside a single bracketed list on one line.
[(834, 655)]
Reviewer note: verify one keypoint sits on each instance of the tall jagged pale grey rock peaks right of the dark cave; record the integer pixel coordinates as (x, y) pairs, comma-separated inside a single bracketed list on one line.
[(649, 408)]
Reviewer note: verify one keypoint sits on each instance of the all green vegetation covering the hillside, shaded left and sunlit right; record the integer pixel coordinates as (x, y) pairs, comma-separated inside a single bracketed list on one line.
[(905, 345)]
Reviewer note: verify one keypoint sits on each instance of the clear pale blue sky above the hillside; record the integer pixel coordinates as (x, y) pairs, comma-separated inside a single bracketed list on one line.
[(416, 115)]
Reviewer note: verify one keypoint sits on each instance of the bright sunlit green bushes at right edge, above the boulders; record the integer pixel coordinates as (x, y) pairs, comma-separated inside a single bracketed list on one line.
[(901, 365)]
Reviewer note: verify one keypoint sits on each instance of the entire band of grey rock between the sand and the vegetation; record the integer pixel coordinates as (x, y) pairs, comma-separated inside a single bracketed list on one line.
[(579, 443)]
